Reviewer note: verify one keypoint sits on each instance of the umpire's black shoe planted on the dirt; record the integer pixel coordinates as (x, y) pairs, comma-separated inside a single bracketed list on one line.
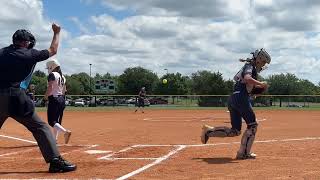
[(58, 165)]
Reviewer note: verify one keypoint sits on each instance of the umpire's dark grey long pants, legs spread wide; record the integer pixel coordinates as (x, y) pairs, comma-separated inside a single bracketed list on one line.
[(14, 103)]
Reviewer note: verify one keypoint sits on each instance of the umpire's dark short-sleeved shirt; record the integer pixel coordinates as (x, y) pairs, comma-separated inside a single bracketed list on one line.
[(17, 63)]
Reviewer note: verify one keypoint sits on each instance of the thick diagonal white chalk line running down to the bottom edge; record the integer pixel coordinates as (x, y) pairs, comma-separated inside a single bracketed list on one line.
[(157, 161)]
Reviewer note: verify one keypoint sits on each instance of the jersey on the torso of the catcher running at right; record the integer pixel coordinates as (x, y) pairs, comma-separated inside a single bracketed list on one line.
[(239, 78)]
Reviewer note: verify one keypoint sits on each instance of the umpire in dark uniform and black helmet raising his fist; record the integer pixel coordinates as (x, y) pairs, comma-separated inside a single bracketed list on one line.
[(17, 62)]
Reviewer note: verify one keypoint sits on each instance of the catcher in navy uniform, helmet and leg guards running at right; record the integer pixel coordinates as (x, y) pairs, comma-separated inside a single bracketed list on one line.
[(239, 105)]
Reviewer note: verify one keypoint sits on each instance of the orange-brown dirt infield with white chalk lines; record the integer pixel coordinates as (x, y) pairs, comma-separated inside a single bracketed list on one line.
[(165, 144)]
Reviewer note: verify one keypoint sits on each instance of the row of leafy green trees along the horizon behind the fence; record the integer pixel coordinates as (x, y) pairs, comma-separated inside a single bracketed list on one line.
[(199, 83)]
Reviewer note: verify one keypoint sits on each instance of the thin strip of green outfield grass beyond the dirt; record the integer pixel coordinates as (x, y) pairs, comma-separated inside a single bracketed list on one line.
[(172, 107)]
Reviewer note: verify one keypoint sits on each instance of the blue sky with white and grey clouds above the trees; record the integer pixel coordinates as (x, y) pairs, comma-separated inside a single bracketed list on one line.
[(183, 36)]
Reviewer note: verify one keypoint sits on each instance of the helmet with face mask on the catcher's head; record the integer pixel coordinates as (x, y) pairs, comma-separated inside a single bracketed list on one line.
[(261, 58)]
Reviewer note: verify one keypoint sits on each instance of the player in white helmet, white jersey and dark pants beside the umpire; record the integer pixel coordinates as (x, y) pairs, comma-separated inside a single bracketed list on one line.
[(55, 95)]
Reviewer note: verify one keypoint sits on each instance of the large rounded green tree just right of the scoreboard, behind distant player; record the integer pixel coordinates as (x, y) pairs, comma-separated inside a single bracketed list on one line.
[(132, 79)]
